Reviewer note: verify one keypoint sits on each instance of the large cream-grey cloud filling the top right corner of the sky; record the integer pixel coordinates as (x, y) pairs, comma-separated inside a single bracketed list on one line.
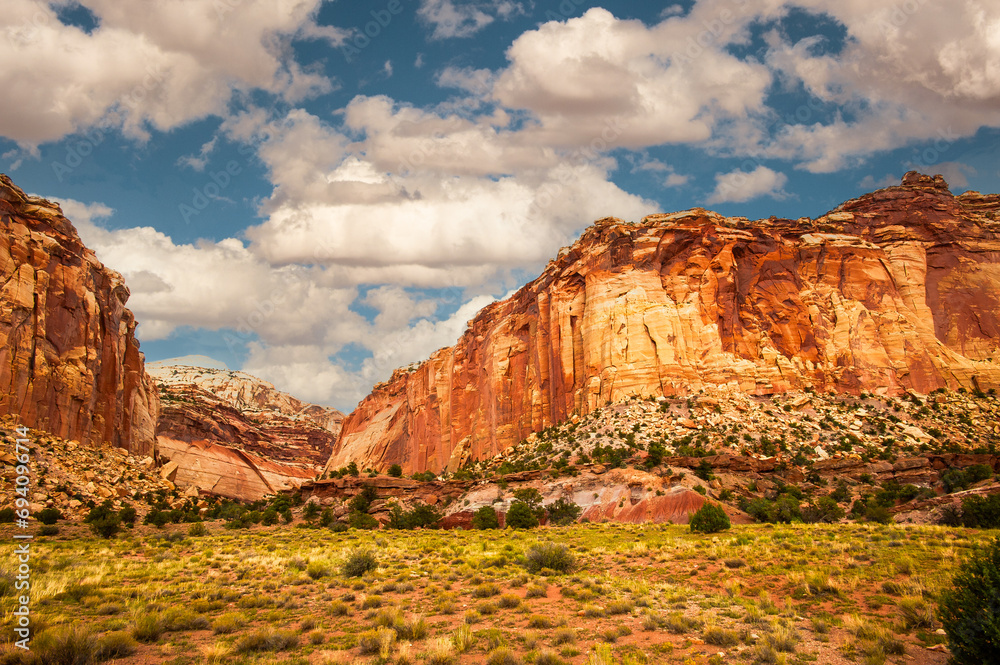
[(909, 72)]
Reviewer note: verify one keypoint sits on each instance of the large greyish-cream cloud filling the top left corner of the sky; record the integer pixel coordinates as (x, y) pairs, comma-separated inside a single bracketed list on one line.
[(148, 65)]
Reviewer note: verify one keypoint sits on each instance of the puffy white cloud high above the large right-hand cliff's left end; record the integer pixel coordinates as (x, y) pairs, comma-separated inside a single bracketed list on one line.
[(598, 78)]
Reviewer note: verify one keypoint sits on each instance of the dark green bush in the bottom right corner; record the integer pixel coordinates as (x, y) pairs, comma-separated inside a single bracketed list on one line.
[(968, 608)]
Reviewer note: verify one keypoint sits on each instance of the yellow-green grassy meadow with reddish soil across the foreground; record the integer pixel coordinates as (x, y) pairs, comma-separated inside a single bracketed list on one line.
[(588, 593)]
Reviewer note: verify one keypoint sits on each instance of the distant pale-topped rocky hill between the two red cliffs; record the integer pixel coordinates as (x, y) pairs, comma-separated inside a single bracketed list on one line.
[(232, 434)]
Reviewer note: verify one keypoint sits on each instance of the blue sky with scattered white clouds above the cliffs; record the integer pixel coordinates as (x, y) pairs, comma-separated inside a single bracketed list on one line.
[(319, 192)]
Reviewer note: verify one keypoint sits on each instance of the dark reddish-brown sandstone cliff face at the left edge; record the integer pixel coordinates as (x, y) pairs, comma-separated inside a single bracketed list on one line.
[(69, 361)]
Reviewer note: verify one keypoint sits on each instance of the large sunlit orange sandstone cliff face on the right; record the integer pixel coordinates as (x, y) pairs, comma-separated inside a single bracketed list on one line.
[(896, 290)]
